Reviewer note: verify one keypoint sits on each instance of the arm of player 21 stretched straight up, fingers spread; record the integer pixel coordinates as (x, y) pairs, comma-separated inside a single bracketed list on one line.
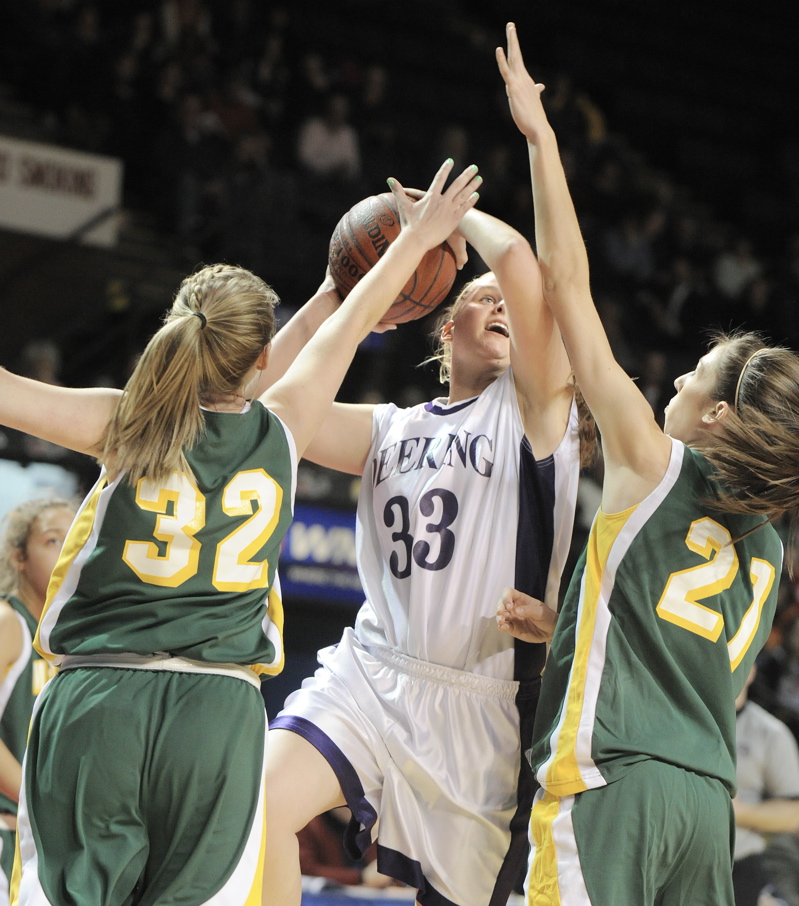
[(636, 451)]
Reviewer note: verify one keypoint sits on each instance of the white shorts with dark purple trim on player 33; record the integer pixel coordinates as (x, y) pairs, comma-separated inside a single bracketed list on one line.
[(432, 754)]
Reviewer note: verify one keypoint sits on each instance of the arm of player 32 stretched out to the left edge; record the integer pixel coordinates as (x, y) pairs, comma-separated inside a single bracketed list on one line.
[(69, 417)]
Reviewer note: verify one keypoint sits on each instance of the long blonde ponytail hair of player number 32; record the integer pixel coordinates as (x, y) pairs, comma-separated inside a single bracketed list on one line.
[(220, 321)]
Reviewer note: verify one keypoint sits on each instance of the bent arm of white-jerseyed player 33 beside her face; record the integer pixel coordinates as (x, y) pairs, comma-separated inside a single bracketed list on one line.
[(541, 368)]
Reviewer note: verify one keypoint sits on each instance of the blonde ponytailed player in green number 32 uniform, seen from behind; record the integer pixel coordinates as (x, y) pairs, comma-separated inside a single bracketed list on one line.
[(143, 775)]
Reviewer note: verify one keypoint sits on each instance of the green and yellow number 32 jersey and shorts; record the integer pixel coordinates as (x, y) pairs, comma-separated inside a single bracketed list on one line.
[(143, 779)]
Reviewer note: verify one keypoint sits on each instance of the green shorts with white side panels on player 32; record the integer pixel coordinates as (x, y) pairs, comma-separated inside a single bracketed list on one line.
[(143, 786)]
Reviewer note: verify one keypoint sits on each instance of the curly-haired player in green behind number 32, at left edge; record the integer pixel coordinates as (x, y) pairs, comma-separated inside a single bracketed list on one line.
[(32, 540)]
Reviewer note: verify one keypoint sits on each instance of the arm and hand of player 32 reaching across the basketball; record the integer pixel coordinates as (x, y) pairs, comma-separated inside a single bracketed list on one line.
[(303, 397)]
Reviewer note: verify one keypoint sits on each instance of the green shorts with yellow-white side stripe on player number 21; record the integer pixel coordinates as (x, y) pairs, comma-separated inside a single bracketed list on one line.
[(659, 835)]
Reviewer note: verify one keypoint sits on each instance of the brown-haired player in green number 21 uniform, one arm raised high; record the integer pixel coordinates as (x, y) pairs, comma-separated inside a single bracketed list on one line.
[(634, 738)]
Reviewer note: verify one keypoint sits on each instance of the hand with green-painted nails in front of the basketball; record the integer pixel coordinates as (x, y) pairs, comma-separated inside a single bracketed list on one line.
[(435, 216)]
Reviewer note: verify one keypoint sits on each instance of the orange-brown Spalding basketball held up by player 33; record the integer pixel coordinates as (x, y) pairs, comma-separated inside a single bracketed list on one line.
[(361, 238)]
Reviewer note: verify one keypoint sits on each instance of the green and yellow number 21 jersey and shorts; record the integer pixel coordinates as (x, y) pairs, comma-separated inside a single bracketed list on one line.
[(635, 728)]
